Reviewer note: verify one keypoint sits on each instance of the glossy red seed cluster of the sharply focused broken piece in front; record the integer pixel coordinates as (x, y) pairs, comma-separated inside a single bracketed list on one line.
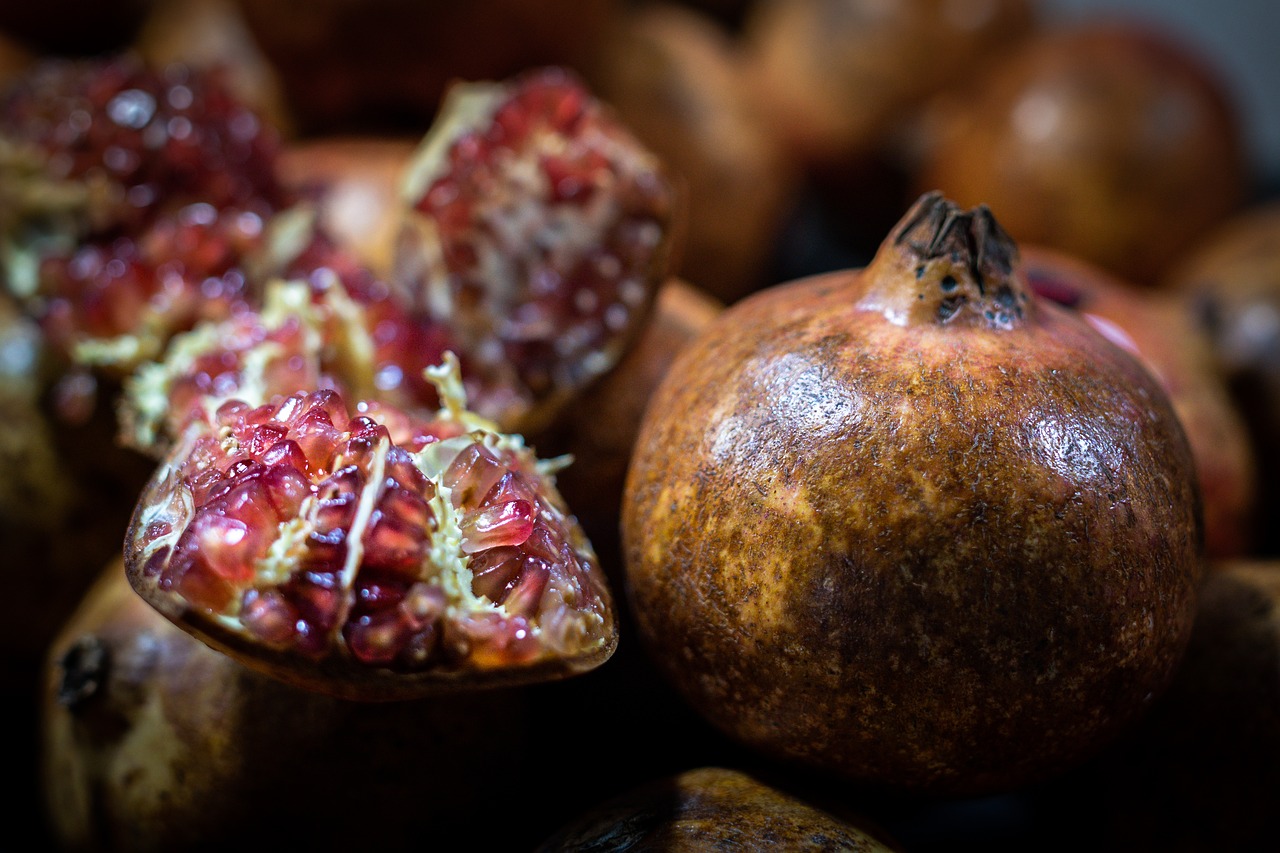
[(312, 530)]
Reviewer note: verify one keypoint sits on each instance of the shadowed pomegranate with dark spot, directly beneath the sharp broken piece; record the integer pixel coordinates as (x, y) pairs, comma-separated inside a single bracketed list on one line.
[(152, 741)]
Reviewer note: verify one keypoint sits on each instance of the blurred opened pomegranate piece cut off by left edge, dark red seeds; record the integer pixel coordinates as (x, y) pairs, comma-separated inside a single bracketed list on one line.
[(134, 195)]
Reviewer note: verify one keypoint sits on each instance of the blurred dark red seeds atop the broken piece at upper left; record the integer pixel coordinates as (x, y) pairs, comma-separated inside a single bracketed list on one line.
[(161, 138)]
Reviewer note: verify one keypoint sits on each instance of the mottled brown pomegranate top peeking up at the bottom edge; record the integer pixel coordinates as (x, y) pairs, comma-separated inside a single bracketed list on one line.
[(711, 809)]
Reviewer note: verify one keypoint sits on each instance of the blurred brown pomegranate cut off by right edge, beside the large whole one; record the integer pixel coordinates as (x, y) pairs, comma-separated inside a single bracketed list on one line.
[(1232, 279)]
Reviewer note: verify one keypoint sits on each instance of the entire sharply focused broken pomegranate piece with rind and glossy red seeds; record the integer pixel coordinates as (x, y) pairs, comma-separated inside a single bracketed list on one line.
[(369, 554)]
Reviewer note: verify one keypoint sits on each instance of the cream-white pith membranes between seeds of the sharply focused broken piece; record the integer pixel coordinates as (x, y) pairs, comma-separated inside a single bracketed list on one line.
[(566, 624)]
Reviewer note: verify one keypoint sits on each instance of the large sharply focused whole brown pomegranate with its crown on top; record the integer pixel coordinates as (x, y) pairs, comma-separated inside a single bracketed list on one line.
[(912, 524)]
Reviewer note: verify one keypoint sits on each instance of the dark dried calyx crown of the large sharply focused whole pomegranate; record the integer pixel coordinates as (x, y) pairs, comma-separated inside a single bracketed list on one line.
[(944, 266)]
